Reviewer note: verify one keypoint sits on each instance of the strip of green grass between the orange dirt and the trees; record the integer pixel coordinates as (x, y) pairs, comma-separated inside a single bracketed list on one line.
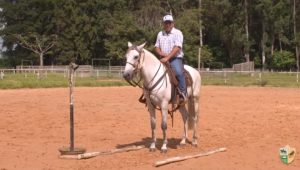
[(30, 80)]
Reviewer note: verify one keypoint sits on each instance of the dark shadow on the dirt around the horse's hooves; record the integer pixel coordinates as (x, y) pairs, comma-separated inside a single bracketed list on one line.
[(173, 143)]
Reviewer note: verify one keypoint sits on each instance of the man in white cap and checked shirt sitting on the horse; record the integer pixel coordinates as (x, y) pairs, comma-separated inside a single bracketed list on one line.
[(169, 47)]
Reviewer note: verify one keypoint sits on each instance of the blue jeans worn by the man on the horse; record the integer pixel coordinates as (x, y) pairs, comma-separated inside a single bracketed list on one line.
[(177, 66)]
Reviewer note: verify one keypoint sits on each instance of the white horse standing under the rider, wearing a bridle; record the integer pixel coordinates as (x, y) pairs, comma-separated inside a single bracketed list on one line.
[(157, 90)]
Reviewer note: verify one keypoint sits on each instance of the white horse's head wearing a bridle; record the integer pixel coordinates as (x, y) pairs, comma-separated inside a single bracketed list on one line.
[(133, 60)]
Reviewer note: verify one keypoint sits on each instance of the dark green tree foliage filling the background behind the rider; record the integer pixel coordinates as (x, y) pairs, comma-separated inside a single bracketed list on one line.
[(100, 29)]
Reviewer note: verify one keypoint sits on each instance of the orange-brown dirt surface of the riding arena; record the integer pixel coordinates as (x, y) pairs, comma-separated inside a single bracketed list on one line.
[(251, 122)]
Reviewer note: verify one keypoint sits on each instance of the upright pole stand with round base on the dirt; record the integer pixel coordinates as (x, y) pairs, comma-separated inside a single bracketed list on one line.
[(71, 150)]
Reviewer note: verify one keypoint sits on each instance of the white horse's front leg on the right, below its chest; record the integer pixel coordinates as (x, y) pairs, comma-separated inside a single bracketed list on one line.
[(164, 112)]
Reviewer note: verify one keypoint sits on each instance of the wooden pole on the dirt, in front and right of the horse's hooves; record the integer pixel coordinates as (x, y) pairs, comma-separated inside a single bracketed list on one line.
[(182, 158)]
